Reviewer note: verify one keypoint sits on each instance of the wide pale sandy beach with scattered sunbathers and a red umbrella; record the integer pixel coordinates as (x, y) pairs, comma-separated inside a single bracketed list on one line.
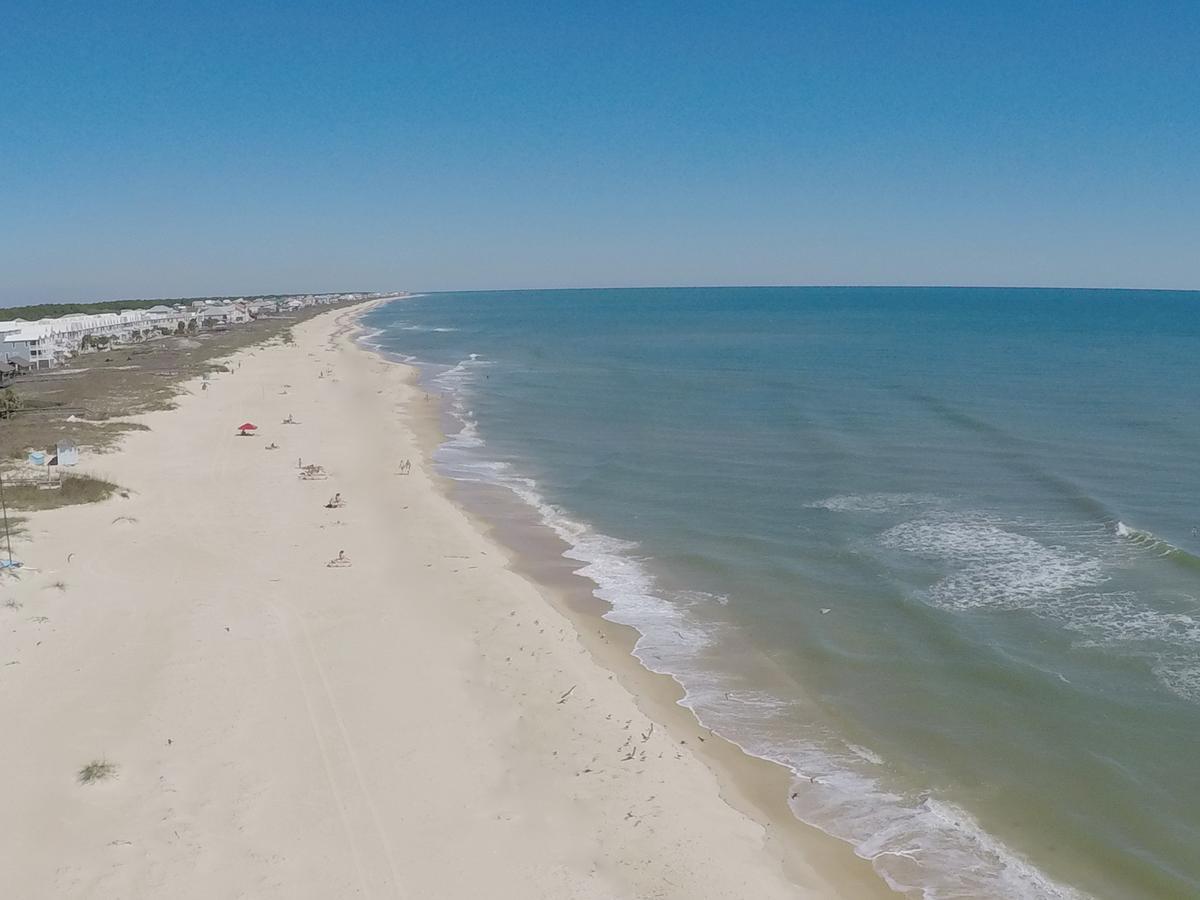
[(423, 723)]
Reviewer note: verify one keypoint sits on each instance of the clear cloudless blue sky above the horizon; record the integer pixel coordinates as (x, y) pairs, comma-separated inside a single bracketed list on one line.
[(182, 149)]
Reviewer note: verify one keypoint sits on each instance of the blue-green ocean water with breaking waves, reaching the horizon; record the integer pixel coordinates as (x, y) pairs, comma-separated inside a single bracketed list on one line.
[(934, 550)]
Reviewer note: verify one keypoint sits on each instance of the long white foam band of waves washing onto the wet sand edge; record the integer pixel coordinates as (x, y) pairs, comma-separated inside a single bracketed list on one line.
[(917, 845)]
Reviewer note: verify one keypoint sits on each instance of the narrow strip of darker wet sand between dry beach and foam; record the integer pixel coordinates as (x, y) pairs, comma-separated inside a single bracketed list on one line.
[(753, 785)]
